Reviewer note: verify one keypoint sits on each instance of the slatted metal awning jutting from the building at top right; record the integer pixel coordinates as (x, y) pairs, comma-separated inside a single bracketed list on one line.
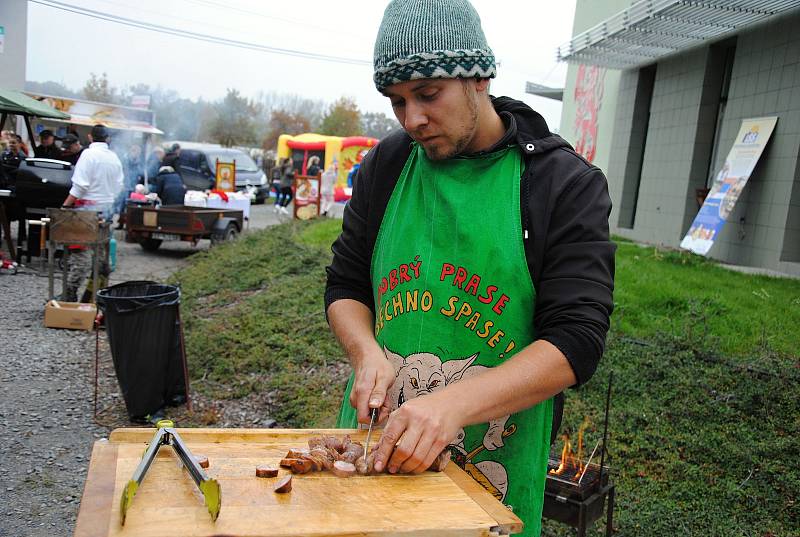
[(650, 30)]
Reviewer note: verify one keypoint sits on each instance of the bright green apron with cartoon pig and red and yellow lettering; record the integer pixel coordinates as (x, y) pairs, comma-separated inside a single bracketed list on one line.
[(454, 297)]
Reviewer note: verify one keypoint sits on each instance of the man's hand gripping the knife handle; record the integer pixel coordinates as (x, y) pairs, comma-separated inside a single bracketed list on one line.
[(374, 376)]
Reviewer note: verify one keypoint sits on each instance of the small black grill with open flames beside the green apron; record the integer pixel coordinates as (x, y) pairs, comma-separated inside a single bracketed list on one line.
[(577, 497)]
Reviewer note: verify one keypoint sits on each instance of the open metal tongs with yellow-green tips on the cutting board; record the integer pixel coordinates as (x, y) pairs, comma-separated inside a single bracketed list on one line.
[(168, 436)]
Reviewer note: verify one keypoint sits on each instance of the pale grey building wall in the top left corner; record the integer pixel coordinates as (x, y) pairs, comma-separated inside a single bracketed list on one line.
[(14, 20)]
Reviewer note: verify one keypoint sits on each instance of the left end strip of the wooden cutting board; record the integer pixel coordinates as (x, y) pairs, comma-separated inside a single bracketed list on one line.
[(94, 515)]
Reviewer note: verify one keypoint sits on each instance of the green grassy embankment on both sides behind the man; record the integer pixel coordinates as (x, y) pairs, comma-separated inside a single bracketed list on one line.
[(705, 412)]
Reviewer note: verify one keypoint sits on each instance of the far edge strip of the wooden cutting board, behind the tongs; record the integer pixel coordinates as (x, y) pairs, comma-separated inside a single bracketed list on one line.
[(145, 434)]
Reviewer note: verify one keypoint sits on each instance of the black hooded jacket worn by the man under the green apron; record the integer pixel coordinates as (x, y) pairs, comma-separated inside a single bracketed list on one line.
[(565, 209)]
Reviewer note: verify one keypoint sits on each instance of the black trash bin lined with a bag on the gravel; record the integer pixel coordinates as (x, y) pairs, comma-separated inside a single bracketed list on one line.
[(142, 323)]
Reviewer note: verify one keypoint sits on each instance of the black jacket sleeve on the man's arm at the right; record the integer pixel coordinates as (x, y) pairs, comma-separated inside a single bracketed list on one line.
[(575, 286)]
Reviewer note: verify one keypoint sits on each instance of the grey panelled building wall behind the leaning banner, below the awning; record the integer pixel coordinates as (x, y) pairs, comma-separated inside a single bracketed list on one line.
[(764, 229)]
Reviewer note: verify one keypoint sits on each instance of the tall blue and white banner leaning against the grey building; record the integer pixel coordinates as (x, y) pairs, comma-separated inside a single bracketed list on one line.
[(728, 185)]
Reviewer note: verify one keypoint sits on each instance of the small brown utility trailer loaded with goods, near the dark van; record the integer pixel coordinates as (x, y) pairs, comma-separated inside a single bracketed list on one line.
[(150, 226)]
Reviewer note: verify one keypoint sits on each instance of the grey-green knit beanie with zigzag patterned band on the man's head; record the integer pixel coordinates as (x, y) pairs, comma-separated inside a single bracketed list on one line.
[(430, 39)]
